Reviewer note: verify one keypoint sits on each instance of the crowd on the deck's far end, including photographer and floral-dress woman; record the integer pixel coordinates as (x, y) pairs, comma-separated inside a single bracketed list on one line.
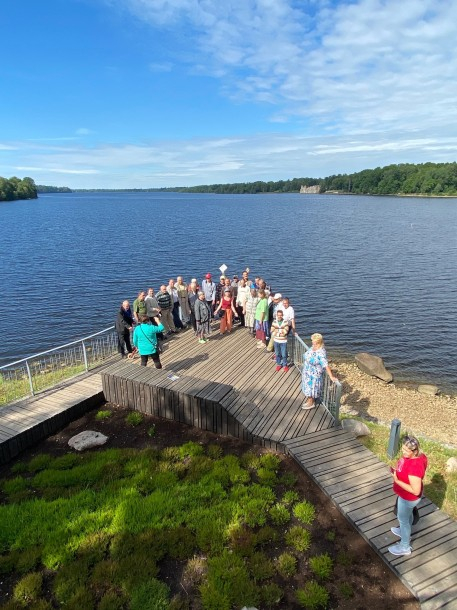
[(251, 303)]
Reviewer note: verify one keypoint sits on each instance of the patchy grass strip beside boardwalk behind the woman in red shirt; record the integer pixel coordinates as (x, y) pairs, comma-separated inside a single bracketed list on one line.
[(439, 486)]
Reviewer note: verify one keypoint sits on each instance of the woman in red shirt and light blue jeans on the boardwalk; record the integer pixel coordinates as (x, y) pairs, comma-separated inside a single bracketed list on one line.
[(408, 485)]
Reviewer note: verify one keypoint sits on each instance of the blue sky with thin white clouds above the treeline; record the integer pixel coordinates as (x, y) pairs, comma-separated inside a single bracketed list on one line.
[(163, 93)]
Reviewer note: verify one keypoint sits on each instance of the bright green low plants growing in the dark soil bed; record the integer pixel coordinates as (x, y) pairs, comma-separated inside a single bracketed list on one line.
[(93, 530)]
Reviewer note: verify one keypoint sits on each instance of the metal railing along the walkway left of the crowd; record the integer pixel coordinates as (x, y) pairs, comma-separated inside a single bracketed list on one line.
[(39, 372)]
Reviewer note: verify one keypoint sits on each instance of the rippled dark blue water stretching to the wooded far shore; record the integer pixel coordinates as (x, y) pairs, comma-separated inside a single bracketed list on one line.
[(372, 274)]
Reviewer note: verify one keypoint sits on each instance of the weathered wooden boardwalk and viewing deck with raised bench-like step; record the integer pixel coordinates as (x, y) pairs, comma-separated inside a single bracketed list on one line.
[(230, 387)]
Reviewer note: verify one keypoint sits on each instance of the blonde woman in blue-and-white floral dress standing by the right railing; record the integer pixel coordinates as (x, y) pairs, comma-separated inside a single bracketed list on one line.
[(314, 363)]
